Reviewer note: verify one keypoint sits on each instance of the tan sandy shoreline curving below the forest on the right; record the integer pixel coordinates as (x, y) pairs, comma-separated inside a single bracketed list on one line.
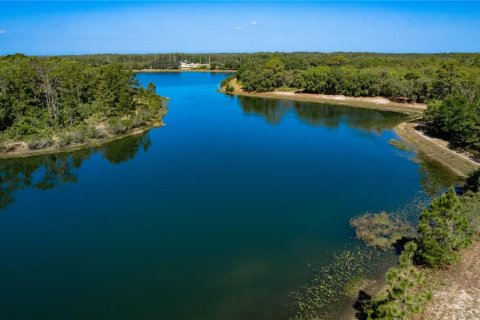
[(435, 149)]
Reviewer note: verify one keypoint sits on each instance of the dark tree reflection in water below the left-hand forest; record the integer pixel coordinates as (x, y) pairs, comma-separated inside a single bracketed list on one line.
[(49, 171)]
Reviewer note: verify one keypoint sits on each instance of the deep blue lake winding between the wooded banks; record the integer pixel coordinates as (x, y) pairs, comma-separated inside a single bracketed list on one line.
[(221, 214)]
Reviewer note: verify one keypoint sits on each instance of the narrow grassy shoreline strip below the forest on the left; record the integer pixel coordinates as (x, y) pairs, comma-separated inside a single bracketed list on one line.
[(26, 153)]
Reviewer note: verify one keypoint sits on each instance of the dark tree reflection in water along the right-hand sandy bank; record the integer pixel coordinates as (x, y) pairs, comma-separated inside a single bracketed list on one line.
[(317, 114)]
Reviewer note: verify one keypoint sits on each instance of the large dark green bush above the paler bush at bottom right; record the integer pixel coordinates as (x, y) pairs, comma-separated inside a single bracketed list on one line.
[(444, 230)]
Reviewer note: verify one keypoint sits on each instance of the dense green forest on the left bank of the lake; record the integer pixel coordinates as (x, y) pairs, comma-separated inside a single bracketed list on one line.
[(60, 101)]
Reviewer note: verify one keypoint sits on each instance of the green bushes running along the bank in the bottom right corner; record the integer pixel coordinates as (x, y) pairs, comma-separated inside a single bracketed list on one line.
[(447, 227)]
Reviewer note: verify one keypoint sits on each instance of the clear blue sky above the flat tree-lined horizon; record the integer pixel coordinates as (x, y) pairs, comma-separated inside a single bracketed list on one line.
[(68, 27)]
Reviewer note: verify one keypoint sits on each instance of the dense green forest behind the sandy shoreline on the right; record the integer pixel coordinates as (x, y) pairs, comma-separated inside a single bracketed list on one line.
[(448, 83)]
